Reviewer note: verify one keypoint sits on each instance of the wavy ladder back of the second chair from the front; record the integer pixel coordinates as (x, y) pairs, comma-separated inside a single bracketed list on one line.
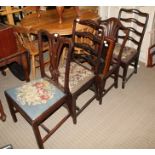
[(87, 36)]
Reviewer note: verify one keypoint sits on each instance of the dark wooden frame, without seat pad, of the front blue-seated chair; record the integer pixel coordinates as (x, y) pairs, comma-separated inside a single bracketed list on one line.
[(55, 45)]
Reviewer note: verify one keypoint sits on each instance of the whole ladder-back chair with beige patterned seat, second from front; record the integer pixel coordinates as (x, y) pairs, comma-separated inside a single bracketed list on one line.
[(87, 36)]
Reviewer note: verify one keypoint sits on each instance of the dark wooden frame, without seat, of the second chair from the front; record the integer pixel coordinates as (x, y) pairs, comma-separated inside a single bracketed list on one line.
[(92, 48)]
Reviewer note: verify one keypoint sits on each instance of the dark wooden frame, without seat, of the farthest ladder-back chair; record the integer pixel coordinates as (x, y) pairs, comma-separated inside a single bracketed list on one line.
[(133, 61)]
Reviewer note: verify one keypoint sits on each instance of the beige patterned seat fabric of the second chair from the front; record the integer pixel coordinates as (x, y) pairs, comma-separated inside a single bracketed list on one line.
[(77, 77)]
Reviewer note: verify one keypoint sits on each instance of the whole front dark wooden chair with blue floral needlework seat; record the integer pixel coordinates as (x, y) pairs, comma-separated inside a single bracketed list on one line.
[(39, 99)]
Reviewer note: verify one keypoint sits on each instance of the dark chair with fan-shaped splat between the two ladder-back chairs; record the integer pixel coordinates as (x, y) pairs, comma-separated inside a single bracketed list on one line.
[(112, 27)]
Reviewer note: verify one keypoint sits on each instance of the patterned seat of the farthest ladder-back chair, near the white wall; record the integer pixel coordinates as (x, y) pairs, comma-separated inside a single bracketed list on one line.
[(128, 52)]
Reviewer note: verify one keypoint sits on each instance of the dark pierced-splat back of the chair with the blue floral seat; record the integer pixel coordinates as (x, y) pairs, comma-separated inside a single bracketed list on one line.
[(56, 45)]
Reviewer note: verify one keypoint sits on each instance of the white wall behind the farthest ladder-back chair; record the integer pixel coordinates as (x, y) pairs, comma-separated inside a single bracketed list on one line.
[(112, 11)]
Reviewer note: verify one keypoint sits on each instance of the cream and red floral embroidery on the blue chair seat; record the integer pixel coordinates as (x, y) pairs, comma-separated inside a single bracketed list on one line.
[(33, 93)]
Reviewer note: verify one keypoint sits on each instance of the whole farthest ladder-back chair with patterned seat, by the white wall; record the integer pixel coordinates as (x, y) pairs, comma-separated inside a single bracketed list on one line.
[(136, 21)]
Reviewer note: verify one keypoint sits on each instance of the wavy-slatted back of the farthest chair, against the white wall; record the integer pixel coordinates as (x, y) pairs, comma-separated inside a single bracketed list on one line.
[(136, 21)]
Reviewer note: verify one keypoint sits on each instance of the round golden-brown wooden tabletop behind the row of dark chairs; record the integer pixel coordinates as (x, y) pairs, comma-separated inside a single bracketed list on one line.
[(49, 20)]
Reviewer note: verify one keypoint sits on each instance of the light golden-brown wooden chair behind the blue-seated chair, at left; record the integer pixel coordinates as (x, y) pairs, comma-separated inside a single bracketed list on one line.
[(27, 40)]
